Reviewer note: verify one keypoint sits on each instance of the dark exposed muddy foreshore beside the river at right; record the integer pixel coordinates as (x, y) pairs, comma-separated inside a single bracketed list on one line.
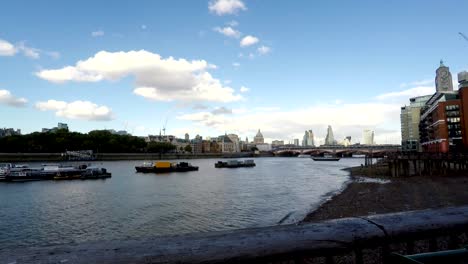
[(378, 195)]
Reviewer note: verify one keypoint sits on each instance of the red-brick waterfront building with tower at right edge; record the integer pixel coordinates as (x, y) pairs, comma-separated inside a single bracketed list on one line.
[(443, 126)]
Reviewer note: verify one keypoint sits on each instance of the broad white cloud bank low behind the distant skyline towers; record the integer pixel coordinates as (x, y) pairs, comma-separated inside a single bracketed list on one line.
[(346, 120)]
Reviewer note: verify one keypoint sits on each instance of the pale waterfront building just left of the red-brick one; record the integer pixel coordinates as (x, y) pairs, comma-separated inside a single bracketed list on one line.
[(410, 117)]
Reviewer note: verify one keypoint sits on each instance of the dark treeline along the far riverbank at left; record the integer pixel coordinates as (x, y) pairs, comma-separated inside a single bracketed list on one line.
[(100, 141)]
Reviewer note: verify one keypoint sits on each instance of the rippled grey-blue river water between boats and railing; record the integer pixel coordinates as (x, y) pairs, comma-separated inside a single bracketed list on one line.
[(133, 205)]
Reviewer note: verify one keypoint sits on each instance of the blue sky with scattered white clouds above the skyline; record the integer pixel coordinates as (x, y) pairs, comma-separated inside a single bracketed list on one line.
[(211, 67)]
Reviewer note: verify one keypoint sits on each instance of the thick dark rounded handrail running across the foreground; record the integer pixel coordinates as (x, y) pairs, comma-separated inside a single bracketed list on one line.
[(257, 245)]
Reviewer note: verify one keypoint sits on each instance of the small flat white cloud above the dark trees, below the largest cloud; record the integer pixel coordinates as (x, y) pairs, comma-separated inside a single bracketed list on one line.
[(77, 110)]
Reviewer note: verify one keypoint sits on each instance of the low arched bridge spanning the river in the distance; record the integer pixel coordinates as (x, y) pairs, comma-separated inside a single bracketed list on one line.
[(340, 151)]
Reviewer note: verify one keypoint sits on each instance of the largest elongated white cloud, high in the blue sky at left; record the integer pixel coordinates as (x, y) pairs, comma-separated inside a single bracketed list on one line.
[(156, 78)]
